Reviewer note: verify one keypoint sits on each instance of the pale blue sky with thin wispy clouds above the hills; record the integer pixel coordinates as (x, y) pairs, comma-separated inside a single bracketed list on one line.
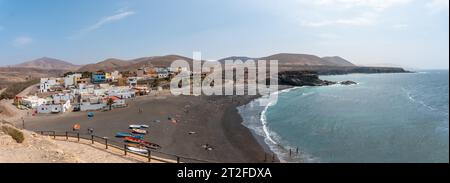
[(412, 33)]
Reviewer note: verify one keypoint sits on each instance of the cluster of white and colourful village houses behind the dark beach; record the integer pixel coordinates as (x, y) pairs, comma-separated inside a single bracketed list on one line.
[(94, 91)]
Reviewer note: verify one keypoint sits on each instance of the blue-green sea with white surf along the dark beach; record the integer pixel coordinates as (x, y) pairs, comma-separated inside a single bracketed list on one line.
[(384, 118)]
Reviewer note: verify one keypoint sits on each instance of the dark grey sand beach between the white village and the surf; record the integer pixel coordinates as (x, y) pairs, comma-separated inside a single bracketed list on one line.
[(213, 119)]
